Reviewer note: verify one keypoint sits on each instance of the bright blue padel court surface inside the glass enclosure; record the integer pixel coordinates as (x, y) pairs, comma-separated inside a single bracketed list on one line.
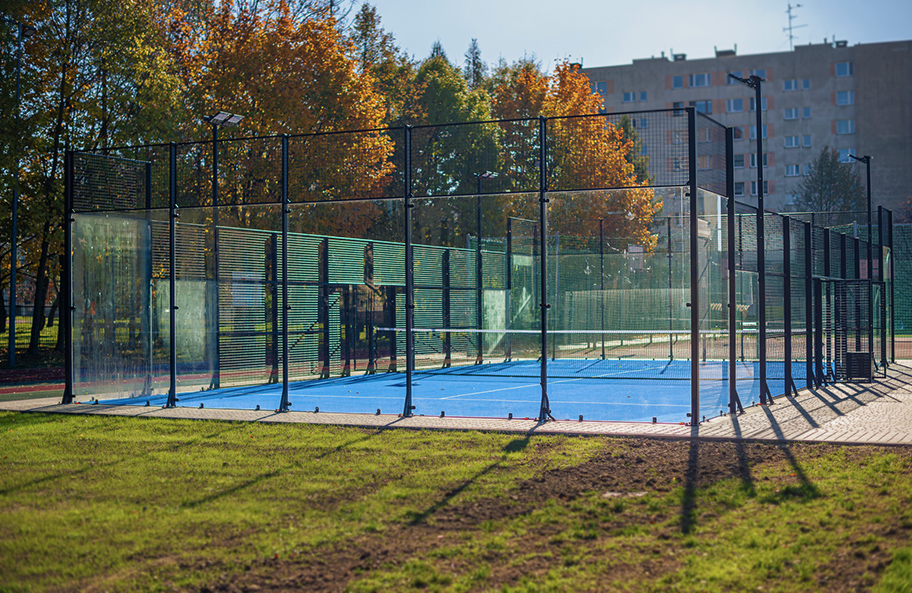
[(619, 390)]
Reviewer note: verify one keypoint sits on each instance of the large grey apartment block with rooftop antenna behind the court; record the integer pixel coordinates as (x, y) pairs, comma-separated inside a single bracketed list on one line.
[(855, 99)]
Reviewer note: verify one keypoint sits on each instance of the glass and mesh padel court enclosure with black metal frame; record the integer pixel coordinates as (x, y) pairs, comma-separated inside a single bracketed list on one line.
[(302, 260)]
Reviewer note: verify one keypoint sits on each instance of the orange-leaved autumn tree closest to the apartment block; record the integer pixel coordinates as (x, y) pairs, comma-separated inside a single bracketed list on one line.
[(587, 155)]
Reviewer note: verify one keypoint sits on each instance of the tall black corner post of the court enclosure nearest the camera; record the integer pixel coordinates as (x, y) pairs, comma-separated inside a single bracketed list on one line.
[(694, 303)]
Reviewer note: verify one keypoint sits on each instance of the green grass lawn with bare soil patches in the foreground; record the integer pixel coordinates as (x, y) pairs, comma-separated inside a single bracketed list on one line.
[(110, 503)]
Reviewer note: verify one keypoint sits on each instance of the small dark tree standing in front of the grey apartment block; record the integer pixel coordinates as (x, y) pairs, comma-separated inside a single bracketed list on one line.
[(831, 186)]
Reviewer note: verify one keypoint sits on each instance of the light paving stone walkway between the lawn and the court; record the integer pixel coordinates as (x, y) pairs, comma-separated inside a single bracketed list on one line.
[(866, 413)]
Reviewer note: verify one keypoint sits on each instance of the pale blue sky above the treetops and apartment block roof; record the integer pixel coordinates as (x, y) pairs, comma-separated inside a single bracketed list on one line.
[(604, 33)]
